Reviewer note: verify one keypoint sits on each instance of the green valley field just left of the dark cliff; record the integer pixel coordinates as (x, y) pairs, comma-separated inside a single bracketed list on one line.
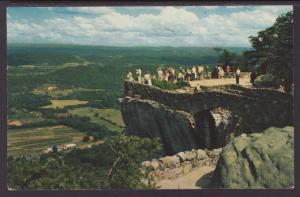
[(111, 118)]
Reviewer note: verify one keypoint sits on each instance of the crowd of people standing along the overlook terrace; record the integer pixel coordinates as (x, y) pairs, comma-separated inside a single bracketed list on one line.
[(194, 73)]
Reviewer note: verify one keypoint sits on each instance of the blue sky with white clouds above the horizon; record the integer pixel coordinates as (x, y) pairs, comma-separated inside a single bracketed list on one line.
[(141, 26)]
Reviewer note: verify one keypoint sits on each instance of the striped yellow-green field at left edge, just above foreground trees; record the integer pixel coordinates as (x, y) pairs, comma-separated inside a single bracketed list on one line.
[(34, 140)]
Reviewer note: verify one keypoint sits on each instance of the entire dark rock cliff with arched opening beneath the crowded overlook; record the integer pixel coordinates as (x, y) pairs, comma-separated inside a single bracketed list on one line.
[(204, 119)]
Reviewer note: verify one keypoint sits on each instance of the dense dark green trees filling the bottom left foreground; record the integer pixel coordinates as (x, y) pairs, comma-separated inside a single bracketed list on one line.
[(113, 164)]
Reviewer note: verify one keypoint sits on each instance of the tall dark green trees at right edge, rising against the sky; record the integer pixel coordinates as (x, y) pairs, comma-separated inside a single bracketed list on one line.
[(273, 50)]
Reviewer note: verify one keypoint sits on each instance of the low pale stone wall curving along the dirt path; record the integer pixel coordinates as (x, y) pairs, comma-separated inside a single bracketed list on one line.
[(172, 167)]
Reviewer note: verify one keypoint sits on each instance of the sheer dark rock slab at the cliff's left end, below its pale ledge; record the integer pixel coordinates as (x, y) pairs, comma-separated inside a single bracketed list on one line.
[(150, 119)]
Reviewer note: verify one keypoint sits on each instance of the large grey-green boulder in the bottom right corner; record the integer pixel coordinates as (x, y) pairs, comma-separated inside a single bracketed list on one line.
[(258, 160)]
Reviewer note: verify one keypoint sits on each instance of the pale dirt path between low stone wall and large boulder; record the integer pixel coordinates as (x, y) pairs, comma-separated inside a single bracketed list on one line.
[(196, 179)]
